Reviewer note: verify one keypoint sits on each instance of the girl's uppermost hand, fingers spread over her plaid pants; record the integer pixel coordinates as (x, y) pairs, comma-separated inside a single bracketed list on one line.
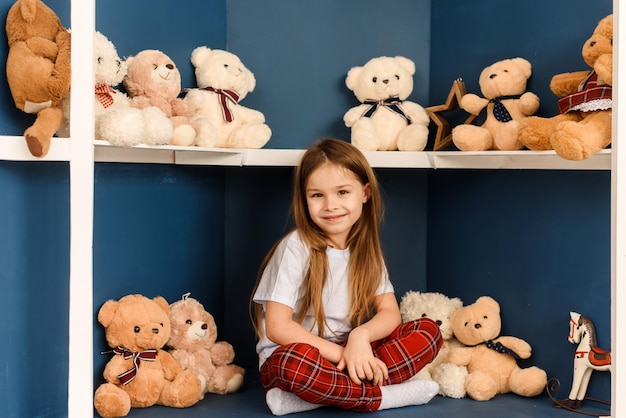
[(359, 359)]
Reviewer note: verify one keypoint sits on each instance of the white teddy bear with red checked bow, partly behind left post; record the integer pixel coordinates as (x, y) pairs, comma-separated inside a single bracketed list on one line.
[(116, 120)]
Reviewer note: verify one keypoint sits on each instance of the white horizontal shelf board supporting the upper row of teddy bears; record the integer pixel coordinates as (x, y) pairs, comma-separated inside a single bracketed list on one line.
[(14, 148)]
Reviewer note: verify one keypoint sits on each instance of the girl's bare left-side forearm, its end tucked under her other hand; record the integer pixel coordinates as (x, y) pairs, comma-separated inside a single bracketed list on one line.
[(282, 329)]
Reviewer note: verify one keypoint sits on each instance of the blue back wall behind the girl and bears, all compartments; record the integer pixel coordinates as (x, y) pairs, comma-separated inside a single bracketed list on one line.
[(168, 229)]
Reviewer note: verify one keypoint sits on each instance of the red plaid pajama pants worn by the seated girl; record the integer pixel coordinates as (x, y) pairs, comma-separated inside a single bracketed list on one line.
[(300, 368)]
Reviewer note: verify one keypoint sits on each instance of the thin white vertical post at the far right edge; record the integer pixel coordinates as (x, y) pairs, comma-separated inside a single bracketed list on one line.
[(618, 217)]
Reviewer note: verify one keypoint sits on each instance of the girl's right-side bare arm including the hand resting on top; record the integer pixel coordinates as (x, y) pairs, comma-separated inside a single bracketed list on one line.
[(357, 356)]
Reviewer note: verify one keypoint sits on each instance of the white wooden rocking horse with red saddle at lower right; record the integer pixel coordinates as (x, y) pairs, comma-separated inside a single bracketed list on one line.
[(587, 358)]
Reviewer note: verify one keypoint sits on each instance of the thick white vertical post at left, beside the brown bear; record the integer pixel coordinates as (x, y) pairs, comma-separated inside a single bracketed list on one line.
[(80, 379)]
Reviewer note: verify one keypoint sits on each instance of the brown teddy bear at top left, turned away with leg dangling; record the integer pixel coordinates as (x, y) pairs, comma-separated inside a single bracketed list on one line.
[(38, 69)]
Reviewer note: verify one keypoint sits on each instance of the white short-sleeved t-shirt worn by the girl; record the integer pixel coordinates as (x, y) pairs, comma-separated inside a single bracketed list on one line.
[(283, 277)]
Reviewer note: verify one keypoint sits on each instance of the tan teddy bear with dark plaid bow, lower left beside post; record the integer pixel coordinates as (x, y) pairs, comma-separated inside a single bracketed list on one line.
[(141, 373)]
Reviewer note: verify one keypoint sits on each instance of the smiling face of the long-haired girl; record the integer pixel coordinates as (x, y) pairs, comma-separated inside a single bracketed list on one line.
[(335, 199)]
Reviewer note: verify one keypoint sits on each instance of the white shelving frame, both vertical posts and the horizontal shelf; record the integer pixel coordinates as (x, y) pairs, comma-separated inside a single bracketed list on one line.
[(81, 153)]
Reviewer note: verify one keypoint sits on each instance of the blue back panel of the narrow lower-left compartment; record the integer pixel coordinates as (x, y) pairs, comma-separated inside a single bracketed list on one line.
[(34, 289)]
